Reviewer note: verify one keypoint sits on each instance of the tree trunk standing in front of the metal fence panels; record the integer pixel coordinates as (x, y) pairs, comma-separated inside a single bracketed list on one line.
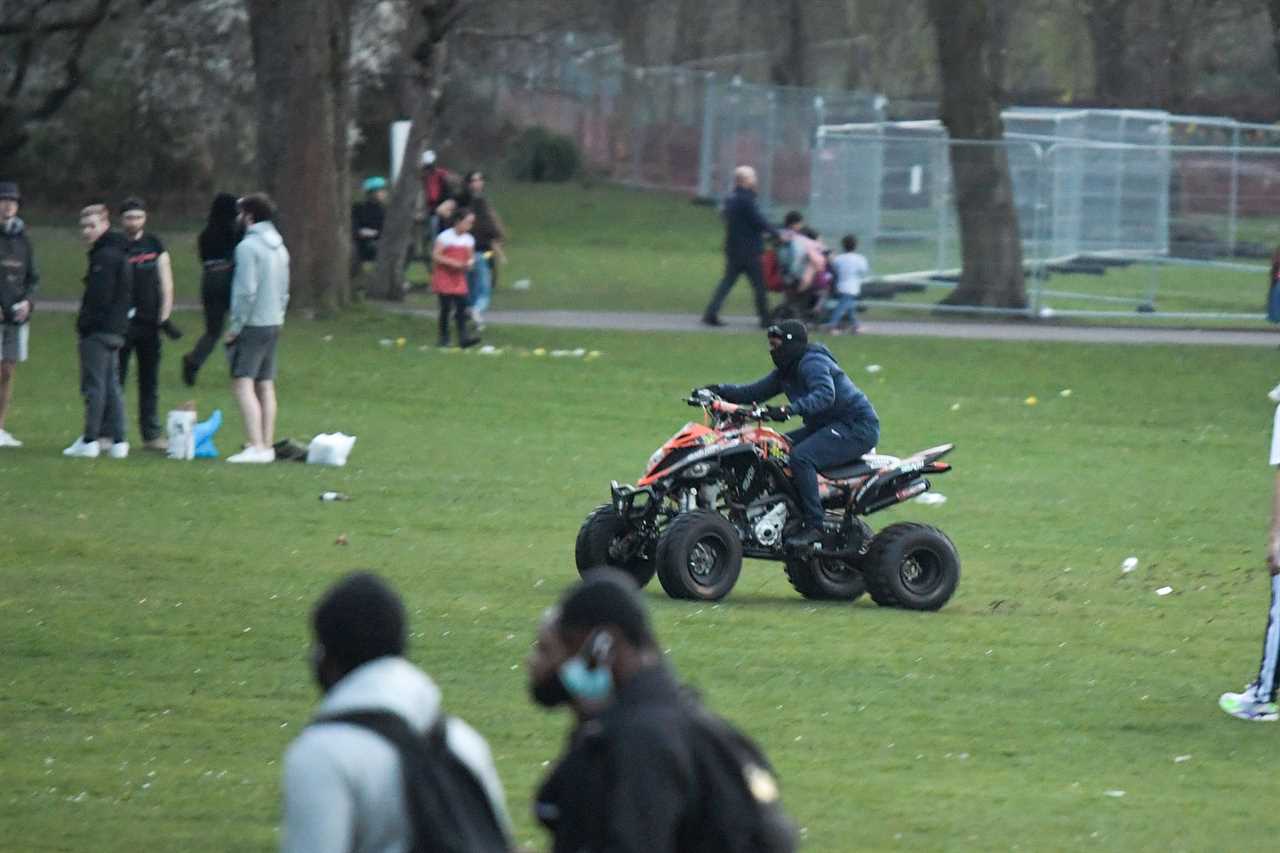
[(993, 249)]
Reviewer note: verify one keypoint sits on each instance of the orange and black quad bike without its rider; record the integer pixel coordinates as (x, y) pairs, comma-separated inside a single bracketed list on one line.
[(721, 491)]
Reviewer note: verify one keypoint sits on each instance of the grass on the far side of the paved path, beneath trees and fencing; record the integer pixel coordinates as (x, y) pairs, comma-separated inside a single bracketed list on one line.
[(614, 249)]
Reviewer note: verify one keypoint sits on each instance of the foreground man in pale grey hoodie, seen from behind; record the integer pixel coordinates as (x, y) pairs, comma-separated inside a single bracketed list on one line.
[(344, 790)]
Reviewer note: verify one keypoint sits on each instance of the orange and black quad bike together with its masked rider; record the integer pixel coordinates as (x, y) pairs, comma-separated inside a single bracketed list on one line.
[(733, 489)]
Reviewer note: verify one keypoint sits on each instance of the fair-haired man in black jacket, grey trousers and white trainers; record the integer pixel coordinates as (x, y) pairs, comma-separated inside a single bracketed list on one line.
[(103, 323)]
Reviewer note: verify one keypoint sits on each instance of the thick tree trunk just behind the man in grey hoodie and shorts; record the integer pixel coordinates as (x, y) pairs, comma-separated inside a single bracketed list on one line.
[(301, 53)]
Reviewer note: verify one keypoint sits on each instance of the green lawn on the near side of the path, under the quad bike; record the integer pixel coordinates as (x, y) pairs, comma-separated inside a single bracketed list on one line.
[(154, 614)]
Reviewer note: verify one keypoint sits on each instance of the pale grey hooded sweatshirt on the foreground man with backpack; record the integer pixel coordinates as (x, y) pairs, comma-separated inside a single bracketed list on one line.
[(344, 791)]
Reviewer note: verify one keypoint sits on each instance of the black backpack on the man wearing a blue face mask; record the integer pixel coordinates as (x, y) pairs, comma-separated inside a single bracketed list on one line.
[(742, 804)]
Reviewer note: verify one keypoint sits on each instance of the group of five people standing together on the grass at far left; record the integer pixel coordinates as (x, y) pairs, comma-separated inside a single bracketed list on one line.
[(126, 312)]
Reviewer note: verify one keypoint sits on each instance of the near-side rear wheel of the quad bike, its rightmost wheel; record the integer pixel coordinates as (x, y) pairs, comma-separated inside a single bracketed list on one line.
[(915, 567)]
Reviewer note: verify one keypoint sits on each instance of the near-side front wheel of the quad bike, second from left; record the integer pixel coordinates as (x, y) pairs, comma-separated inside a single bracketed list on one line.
[(700, 556)]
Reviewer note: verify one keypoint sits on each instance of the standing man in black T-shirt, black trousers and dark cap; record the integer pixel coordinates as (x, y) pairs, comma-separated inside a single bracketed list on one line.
[(153, 303)]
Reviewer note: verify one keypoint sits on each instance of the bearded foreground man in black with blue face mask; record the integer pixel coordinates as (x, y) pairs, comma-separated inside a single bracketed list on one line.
[(636, 774)]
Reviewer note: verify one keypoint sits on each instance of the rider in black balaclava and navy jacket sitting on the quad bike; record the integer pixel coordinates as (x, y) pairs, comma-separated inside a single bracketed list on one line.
[(840, 423)]
